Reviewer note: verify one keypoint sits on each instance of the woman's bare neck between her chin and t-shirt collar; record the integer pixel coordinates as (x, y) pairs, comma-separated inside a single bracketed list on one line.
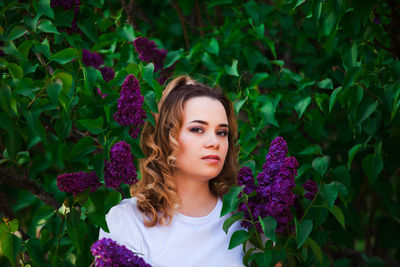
[(195, 195)]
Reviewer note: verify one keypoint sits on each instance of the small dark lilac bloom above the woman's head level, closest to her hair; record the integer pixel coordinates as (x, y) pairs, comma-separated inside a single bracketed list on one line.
[(149, 52)]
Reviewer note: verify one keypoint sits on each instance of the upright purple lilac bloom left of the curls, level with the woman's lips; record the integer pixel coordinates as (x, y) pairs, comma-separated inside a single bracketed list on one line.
[(120, 168)]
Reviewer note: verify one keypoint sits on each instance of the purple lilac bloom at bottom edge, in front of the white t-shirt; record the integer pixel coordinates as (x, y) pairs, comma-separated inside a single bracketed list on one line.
[(108, 253)]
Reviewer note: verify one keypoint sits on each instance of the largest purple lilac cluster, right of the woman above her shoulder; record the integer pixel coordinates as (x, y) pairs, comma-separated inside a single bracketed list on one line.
[(274, 188)]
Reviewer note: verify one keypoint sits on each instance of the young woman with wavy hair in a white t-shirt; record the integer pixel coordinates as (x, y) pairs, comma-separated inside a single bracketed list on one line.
[(190, 162)]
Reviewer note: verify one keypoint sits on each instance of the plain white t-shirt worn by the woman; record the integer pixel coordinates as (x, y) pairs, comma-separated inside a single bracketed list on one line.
[(186, 242)]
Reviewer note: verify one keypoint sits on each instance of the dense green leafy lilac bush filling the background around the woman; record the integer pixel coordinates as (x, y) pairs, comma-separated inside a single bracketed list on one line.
[(324, 75)]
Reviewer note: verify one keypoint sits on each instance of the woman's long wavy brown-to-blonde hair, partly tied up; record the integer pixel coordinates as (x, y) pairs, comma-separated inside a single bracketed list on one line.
[(156, 192)]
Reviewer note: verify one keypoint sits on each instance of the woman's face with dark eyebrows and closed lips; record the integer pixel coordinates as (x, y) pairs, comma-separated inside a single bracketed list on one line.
[(203, 139)]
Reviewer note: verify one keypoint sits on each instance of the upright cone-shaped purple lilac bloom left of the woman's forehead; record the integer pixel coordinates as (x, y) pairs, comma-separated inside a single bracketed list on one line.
[(130, 103)]
